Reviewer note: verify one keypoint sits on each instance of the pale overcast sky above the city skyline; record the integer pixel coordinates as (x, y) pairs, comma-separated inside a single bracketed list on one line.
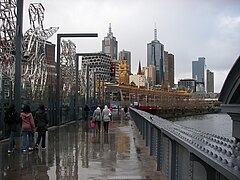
[(188, 29)]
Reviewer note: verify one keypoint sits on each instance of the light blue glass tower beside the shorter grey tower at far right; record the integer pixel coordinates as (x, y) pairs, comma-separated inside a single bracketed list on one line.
[(198, 72)]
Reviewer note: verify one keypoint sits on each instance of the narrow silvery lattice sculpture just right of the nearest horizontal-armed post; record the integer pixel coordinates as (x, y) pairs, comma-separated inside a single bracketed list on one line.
[(68, 69)]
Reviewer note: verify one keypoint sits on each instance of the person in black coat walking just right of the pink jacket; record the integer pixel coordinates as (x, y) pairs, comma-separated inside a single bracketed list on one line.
[(41, 121)]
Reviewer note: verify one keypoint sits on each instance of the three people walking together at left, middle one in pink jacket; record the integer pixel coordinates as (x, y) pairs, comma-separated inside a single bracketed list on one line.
[(28, 125)]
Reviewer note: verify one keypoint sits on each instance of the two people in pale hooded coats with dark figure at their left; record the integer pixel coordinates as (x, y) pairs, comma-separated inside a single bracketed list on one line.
[(100, 117)]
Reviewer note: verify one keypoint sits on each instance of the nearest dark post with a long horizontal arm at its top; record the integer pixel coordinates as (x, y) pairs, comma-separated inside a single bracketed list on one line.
[(58, 99)]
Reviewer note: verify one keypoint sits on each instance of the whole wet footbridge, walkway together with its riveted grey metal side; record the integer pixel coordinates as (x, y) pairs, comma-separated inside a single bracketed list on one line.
[(142, 146)]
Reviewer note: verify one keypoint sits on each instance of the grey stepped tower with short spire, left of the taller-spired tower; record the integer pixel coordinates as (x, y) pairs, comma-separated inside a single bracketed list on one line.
[(110, 44)]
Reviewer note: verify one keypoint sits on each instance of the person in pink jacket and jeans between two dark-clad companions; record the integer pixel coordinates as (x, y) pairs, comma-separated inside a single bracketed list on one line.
[(28, 127)]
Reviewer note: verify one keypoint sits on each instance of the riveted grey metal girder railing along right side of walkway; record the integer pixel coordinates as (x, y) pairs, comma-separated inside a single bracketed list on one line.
[(186, 153)]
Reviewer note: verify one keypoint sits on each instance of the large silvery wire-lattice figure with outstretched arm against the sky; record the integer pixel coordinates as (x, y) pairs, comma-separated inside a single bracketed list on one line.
[(34, 75)]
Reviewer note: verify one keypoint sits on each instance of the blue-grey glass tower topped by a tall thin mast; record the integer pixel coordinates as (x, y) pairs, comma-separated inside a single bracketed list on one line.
[(155, 56)]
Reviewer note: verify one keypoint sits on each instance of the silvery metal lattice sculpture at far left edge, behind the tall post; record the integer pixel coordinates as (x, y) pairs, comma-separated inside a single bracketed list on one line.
[(7, 38)]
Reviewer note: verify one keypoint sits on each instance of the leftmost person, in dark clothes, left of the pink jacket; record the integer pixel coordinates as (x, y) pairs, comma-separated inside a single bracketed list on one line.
[(11, 119)]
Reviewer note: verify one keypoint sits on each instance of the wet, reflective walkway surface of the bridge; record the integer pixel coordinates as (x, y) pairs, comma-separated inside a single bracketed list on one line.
[(76, 152)]
